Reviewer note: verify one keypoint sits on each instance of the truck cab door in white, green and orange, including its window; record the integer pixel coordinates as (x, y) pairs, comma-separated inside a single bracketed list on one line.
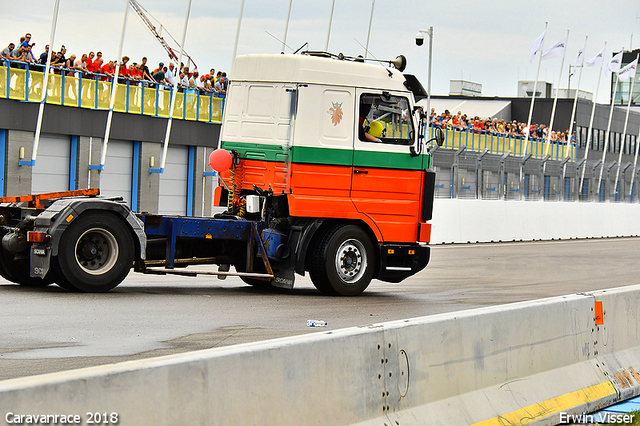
[(386, 181)]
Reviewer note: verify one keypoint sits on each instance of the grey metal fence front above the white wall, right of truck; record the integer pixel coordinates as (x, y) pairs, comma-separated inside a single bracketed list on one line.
[(462, 173)]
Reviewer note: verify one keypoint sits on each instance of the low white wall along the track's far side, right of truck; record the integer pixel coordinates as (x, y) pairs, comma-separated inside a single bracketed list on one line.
[(462, 221)]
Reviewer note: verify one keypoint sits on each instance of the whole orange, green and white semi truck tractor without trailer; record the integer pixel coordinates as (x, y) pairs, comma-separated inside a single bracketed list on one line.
[(324, 168)]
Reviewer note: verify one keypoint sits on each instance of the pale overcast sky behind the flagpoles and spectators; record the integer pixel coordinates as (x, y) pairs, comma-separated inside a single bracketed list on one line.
[(483, 42)]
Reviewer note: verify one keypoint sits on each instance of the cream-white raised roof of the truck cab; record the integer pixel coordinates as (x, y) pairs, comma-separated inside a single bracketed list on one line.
[(306, 69)]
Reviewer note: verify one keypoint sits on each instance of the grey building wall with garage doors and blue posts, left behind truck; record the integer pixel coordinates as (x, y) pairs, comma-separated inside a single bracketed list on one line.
[(69, 152)]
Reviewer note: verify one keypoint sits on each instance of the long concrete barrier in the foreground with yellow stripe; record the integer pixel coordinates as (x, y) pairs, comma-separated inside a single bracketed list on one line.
[(527, 362)]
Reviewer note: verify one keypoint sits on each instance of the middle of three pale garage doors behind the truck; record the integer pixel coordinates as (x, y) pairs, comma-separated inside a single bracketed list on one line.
[(115, 179)]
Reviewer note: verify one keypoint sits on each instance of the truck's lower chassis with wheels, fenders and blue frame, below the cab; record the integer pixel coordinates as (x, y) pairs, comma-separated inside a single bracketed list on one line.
[(84, 242)]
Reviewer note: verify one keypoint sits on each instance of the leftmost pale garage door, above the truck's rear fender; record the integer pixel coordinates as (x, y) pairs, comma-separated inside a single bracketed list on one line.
[(51, 172)]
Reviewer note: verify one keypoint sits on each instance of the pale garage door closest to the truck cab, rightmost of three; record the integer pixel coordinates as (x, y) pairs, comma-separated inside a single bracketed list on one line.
[(173, 182)]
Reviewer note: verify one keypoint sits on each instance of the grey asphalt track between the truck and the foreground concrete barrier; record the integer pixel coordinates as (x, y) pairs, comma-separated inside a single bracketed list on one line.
[(48, 329)]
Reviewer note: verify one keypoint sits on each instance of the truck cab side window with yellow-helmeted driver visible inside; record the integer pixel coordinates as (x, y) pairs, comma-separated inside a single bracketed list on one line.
[(385, 119)]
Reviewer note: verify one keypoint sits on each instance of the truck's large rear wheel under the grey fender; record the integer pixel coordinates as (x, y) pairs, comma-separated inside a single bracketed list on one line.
[(95, 253)]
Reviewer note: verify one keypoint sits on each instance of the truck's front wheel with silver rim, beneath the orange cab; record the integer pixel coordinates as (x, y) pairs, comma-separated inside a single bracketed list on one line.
[(343, 261)]
